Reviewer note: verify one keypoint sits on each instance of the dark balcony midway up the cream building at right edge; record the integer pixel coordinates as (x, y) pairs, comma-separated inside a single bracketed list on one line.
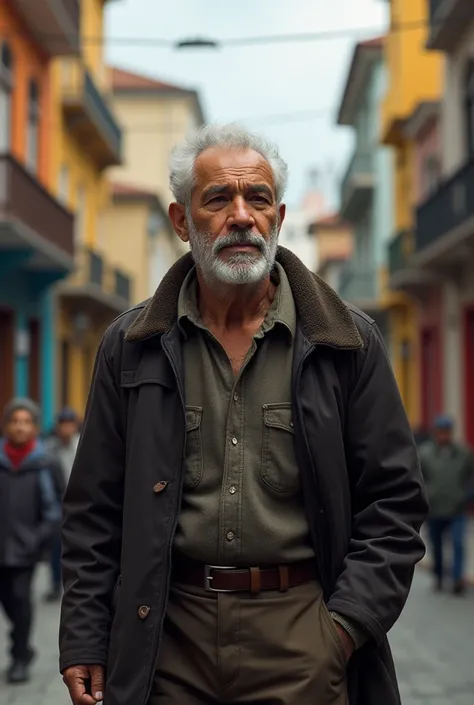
[(445, 223)]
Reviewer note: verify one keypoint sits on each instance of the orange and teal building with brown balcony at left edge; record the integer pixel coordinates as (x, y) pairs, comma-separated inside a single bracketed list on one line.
[(36, 229)]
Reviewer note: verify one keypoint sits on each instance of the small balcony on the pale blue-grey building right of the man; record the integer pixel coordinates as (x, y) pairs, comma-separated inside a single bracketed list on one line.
[(357, 187)]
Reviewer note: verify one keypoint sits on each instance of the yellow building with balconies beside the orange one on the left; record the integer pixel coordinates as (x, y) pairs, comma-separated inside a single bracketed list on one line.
[(87, 140)]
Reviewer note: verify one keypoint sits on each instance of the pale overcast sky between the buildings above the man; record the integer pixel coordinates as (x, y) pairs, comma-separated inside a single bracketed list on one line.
[(260, 80)]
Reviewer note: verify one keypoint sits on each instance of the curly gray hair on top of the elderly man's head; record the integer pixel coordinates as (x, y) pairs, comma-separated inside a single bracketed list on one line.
[(183, 156)]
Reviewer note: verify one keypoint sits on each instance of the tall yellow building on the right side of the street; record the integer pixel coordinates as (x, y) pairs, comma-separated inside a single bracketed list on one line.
[(414, 77)]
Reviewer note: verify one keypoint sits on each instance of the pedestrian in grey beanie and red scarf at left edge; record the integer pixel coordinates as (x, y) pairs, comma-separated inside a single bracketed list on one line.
[(29, 516)]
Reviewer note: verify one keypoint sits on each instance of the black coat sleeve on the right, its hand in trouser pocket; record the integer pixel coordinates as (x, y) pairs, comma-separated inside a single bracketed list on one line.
[(388, 499)]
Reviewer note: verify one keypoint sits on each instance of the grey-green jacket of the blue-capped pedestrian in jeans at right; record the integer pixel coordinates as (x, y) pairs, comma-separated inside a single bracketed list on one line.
[(449, 472)]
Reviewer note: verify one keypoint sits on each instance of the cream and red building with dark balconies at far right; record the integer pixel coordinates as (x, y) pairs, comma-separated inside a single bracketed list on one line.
[(439, 265)]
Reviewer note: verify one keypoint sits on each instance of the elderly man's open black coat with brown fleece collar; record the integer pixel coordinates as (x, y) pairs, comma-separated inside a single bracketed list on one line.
[(362, 484)]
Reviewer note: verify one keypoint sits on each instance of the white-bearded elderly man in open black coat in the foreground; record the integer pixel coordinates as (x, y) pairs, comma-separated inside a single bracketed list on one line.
[(242, 519)]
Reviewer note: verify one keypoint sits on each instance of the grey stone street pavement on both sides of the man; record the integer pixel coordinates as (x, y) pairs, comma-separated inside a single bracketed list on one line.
[(432, 643)]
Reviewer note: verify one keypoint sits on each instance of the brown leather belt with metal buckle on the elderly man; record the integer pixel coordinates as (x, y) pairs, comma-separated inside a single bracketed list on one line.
[(215, 578)]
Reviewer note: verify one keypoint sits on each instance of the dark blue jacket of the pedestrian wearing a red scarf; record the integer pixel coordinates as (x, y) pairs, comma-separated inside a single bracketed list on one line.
[(29, 510)]
